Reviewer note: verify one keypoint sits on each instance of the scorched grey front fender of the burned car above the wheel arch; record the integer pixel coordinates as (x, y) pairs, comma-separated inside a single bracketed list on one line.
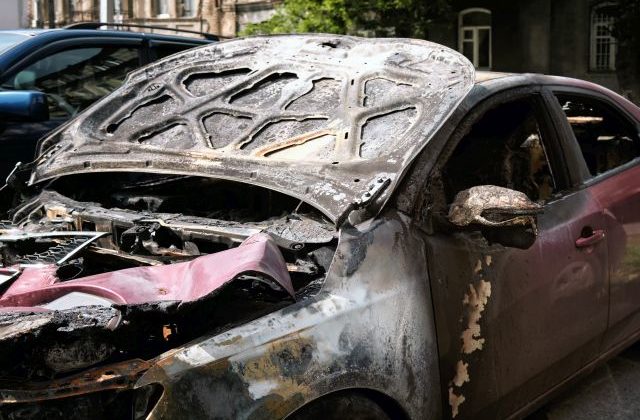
[(370, 327)]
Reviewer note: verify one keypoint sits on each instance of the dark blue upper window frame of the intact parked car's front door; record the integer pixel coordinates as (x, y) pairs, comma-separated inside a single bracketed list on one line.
[(73, 43)]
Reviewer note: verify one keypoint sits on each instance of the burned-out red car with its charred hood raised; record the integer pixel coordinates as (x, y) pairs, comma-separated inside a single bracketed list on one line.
[(314, 226)]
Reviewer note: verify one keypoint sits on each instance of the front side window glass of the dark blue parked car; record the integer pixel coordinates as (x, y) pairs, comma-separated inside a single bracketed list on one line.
[(73, 79)]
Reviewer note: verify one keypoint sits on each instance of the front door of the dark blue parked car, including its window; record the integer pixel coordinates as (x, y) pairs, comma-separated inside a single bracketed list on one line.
[(73, 75)]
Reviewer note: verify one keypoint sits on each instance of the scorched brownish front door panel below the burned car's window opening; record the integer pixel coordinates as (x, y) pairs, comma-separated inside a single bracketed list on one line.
[(513, 322)]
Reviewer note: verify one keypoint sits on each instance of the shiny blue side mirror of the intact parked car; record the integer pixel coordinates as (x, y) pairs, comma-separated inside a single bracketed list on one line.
[(23, 106)]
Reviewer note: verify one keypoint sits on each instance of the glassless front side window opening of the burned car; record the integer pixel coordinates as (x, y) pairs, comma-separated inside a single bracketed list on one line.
[(504, 147)]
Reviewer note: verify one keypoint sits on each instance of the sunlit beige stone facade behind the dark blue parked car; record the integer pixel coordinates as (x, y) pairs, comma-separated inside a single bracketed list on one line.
[(222, 17)]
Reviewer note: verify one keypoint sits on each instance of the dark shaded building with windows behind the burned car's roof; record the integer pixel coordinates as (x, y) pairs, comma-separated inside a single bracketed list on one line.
[(561, 37)]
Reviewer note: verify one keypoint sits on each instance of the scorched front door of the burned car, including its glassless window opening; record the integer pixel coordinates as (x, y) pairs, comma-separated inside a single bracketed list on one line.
[(513, 323)]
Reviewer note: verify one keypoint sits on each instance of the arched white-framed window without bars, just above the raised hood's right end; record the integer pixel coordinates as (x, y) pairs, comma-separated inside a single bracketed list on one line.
[(474, 36)]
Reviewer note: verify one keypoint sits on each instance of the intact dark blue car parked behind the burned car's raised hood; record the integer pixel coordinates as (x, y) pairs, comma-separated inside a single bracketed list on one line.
[(73, 67)]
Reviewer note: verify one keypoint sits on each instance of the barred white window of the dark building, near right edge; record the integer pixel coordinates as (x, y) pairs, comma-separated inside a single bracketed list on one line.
[(603, 43)]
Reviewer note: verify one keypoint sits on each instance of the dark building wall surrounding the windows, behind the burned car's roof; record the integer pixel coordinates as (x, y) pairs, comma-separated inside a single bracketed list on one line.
[(538, 36)]
